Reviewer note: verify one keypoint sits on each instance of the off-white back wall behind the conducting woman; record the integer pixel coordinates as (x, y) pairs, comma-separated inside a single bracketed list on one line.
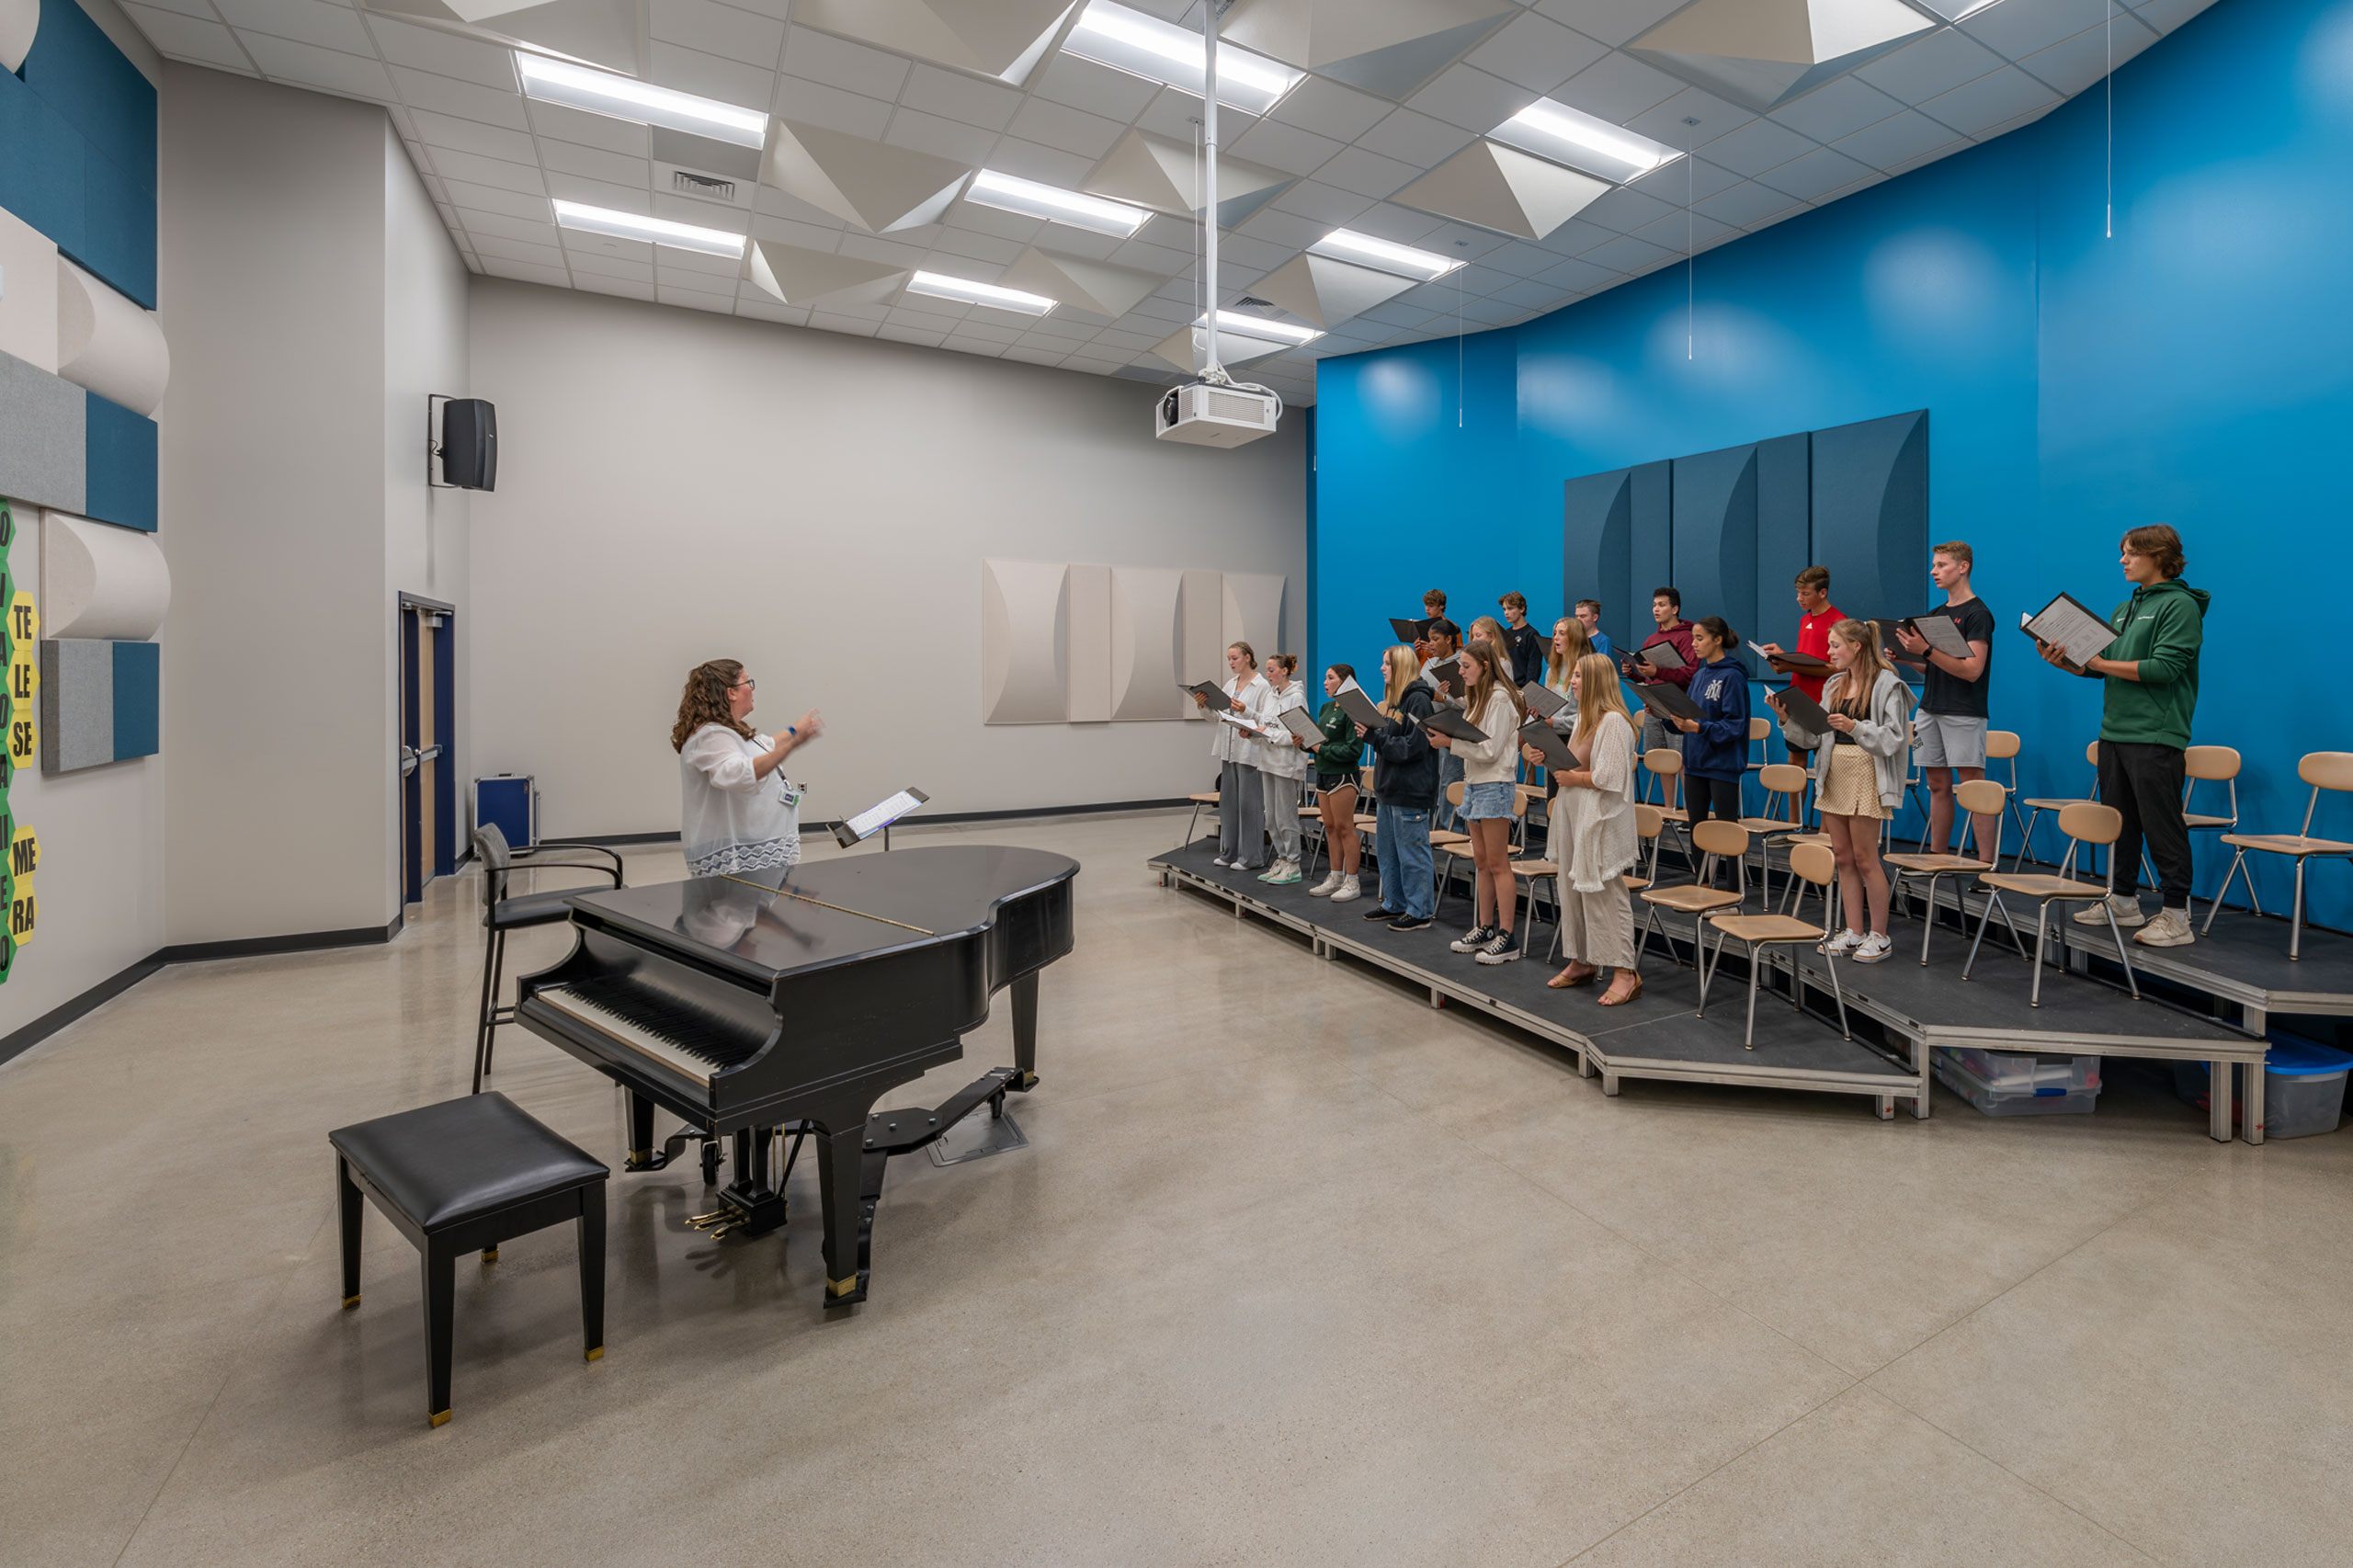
[(681, 486)]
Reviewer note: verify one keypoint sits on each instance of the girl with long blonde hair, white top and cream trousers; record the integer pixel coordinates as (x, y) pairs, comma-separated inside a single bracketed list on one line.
[(1594, 842)]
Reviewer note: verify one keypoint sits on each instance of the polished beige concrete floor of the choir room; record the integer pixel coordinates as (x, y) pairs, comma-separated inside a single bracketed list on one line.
[(1295, 1270)]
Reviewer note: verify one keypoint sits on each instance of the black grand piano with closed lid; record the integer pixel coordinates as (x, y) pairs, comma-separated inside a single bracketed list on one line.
[(792, 999)]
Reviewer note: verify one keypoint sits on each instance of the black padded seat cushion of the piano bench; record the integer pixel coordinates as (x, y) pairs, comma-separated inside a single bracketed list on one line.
[(453, 1162)]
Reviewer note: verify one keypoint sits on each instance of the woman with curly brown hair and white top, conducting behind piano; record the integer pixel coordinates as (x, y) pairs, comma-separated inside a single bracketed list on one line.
[(738, 811)]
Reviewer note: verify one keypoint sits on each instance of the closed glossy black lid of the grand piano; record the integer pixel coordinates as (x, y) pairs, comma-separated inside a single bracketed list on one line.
[(947, 891)]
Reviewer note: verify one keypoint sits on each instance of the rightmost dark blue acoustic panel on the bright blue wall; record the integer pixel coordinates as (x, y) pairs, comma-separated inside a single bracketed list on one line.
[(1872, 512)]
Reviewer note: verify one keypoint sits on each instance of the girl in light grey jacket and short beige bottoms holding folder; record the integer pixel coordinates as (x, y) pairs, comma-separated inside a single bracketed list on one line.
[(1858, 778)]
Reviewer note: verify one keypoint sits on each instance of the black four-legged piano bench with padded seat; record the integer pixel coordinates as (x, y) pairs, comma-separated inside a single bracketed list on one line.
[(465, 1176)]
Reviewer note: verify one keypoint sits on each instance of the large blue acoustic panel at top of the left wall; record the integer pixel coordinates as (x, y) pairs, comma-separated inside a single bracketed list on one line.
[(79, 138)]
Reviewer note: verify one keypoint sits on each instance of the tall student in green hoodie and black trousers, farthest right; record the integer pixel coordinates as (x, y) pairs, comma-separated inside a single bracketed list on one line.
[(2145, 731)]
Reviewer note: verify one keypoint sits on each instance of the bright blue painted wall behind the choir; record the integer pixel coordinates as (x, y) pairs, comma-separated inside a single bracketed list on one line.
[(2194, 368)]
